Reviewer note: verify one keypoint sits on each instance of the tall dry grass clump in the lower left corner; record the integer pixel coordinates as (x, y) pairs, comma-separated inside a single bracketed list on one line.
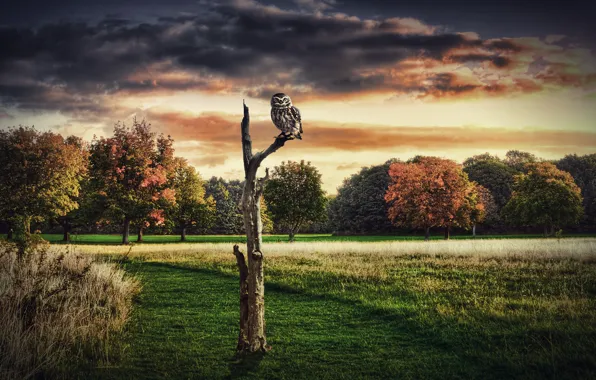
[(56, 308)]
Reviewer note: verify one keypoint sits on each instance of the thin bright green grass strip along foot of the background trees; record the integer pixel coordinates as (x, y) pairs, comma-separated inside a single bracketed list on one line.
[(158, 239)]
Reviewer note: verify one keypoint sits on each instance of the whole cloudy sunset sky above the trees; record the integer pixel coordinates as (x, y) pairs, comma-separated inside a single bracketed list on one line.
[(373, 80)]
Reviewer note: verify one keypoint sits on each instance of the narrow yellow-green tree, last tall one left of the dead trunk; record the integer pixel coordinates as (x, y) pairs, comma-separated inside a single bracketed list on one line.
[(191, 206)]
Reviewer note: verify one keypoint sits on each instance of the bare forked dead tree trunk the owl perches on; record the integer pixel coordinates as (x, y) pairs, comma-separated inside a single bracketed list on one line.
[(252, 337)]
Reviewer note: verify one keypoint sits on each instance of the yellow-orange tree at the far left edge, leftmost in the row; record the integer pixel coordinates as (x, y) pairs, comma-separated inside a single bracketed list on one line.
[(40, 177)]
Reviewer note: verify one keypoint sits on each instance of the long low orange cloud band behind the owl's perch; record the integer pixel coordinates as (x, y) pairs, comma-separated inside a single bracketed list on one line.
[(218, 134)]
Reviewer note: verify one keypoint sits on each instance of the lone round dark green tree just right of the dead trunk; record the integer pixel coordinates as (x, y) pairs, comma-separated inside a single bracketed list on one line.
[(294, 196)]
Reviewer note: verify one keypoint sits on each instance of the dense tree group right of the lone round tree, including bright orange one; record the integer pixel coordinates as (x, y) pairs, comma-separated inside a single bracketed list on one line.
[(519, 190)]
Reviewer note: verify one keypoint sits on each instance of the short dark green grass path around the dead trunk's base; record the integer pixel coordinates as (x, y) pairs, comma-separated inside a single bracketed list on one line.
[(185, 327)]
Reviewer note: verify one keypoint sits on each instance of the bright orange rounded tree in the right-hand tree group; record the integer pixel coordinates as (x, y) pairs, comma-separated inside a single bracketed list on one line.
[(431, 192)]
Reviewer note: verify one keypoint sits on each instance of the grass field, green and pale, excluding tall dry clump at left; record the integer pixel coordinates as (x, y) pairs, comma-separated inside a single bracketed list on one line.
[(460, 309)]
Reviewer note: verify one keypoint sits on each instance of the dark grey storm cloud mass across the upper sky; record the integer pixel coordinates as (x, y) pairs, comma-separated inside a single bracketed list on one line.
[(251, 47)]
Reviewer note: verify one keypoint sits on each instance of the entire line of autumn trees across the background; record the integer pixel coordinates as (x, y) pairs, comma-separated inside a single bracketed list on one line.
[(132, 181)]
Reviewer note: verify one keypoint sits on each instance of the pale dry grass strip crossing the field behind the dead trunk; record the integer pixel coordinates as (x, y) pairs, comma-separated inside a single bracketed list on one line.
[(577, 248)]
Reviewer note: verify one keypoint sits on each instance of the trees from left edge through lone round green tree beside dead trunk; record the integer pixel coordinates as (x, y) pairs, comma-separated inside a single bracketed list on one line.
[(132, 181)]
